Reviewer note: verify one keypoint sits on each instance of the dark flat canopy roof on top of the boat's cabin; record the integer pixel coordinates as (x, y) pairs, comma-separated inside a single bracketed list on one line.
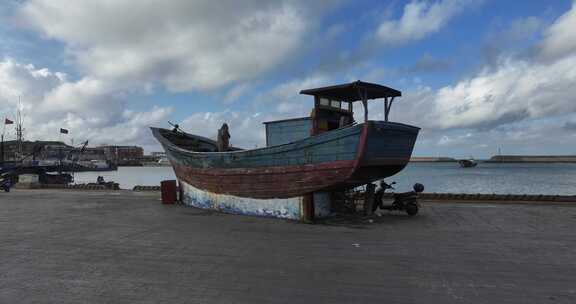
[(350, 91)]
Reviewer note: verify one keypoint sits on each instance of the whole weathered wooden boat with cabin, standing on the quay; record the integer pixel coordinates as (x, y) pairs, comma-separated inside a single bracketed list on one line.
[(324, 152)]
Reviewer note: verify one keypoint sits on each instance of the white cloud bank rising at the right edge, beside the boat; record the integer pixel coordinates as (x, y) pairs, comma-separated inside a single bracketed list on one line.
[(515, 89)]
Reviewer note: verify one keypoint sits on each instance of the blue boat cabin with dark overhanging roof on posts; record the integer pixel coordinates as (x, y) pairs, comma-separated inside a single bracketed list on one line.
[(333, 109)]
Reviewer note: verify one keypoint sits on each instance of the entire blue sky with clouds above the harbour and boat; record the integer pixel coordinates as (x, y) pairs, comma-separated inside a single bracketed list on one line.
[(476, 75)]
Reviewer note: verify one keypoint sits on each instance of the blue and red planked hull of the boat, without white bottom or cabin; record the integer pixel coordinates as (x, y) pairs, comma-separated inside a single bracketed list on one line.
[(339, 159)]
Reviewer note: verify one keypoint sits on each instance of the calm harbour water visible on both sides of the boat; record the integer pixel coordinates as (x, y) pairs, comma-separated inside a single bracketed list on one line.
[(486, 178)]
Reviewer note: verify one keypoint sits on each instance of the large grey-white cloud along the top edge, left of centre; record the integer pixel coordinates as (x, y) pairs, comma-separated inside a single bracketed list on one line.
[(181, 45)]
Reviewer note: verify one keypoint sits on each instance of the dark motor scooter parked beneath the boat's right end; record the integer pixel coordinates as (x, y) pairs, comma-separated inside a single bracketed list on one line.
[(406, 201)]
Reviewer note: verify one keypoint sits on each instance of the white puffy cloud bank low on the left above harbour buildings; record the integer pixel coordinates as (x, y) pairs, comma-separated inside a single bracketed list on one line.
[(91, 109)]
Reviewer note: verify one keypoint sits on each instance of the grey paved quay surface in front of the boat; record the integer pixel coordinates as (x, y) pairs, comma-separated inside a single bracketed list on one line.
[(124, 247)]
